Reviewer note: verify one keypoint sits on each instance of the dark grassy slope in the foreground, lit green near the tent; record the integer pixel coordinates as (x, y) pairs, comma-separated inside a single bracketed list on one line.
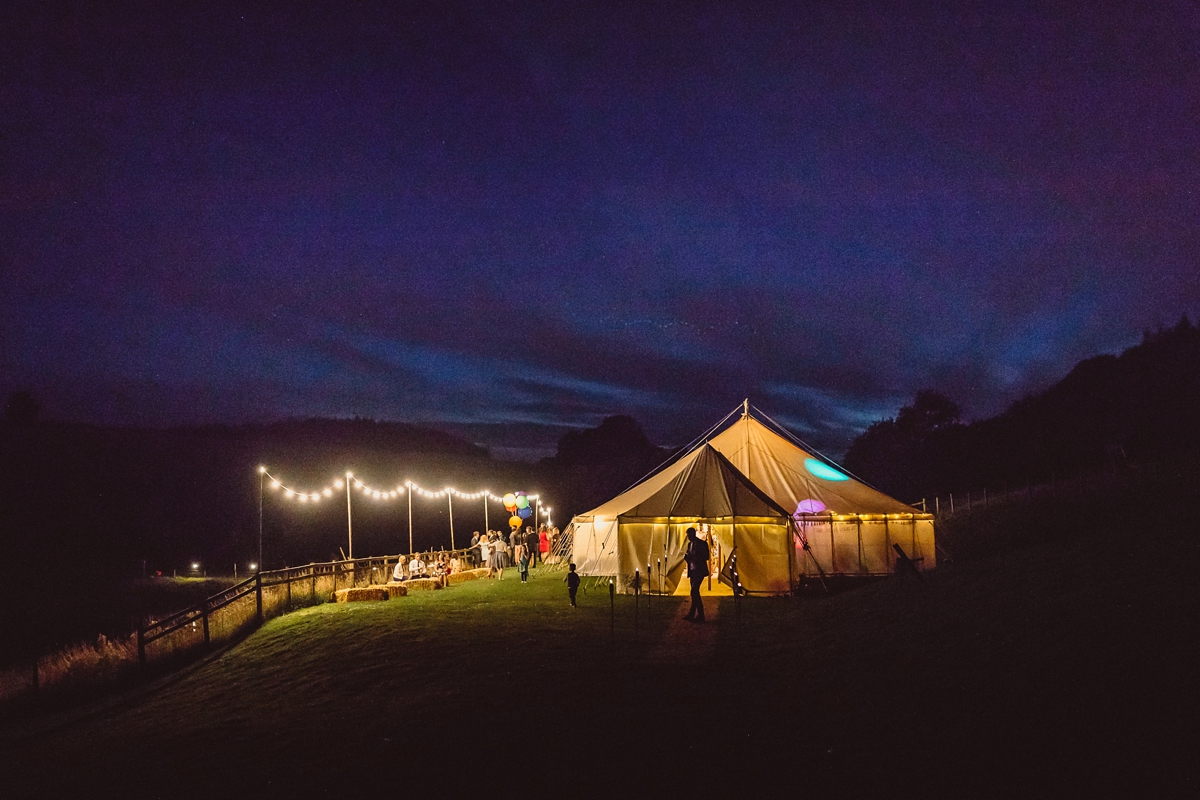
[(1051, 659)]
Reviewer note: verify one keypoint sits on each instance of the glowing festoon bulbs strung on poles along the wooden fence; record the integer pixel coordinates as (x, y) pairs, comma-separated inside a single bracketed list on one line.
[(386, 494)]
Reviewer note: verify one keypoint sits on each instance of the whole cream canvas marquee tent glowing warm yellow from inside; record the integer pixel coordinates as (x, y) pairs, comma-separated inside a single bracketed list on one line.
[(788, 513)]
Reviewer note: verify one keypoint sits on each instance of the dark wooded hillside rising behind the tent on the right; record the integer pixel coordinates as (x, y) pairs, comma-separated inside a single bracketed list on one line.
[(1108, 413)]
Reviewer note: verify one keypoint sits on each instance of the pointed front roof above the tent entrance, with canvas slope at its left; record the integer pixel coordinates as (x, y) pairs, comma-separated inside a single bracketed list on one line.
[(703, 484)]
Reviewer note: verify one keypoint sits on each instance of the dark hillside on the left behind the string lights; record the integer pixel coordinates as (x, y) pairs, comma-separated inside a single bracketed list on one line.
[(88, 509)]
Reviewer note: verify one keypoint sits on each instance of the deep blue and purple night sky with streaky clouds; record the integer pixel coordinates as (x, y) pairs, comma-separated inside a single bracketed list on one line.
[(509, 220)]
